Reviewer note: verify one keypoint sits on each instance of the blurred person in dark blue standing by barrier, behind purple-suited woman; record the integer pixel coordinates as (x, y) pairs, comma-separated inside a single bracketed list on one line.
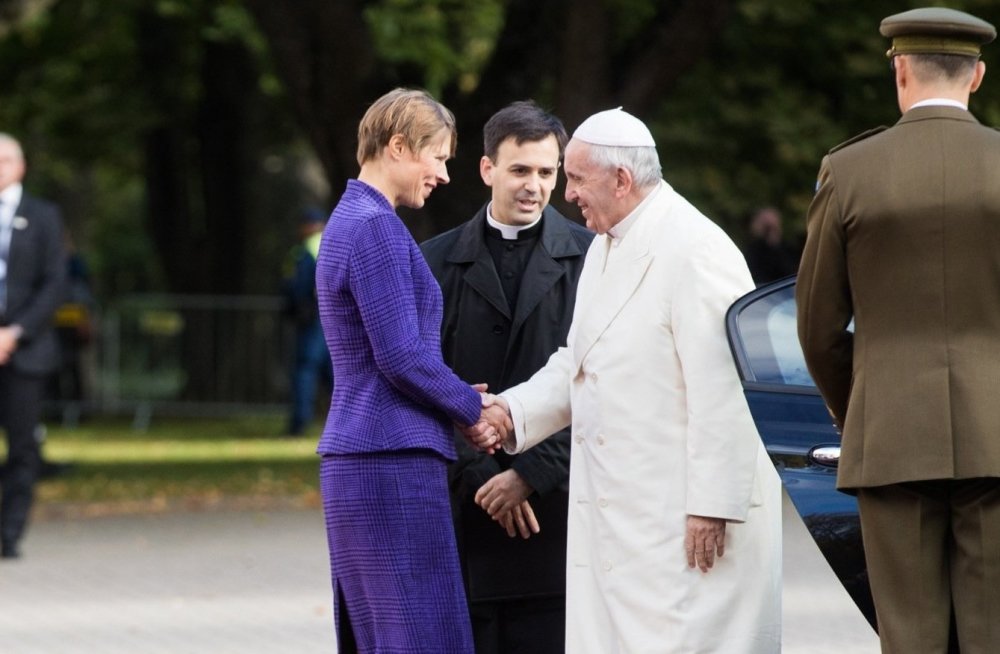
[(311, 367)]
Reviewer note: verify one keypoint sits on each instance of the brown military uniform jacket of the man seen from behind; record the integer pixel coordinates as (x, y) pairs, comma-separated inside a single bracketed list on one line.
[(904, 237)]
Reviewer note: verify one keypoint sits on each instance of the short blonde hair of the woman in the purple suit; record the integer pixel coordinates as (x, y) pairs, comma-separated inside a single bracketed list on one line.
[(413, 114)]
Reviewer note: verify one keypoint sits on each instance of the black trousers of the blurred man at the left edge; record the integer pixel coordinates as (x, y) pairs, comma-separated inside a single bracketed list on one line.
[(20, 411)]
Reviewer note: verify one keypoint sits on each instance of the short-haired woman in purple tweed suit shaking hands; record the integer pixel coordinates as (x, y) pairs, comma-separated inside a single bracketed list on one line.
[(388, 438)]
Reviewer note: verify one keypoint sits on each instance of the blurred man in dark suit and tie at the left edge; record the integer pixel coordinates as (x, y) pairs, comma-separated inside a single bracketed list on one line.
[(32, 275)]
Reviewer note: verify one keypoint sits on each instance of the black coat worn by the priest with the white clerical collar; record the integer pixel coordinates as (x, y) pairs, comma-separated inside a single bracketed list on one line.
[(485, 342)]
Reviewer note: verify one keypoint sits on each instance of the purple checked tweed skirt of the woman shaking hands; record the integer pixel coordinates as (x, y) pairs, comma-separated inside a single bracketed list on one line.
[(397, 585)]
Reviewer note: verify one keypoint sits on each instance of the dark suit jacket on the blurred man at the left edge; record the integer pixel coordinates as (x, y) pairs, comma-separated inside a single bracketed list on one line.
[(36, 284)]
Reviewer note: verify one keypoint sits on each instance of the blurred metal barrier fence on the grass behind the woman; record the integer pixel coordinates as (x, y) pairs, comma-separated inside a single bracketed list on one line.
[(187, 355)]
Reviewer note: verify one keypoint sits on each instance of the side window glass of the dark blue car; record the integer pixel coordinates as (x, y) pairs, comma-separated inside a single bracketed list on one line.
[(770, 340)]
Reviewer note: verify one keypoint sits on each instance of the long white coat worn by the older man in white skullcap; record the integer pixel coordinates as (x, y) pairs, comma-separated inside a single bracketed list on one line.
[(661, 430)]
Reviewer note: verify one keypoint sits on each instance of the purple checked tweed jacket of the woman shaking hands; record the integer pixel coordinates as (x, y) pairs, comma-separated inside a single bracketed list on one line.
[(381, 309)]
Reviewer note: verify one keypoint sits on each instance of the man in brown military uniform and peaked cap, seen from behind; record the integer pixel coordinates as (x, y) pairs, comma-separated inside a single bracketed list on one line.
[(904, 238)]
